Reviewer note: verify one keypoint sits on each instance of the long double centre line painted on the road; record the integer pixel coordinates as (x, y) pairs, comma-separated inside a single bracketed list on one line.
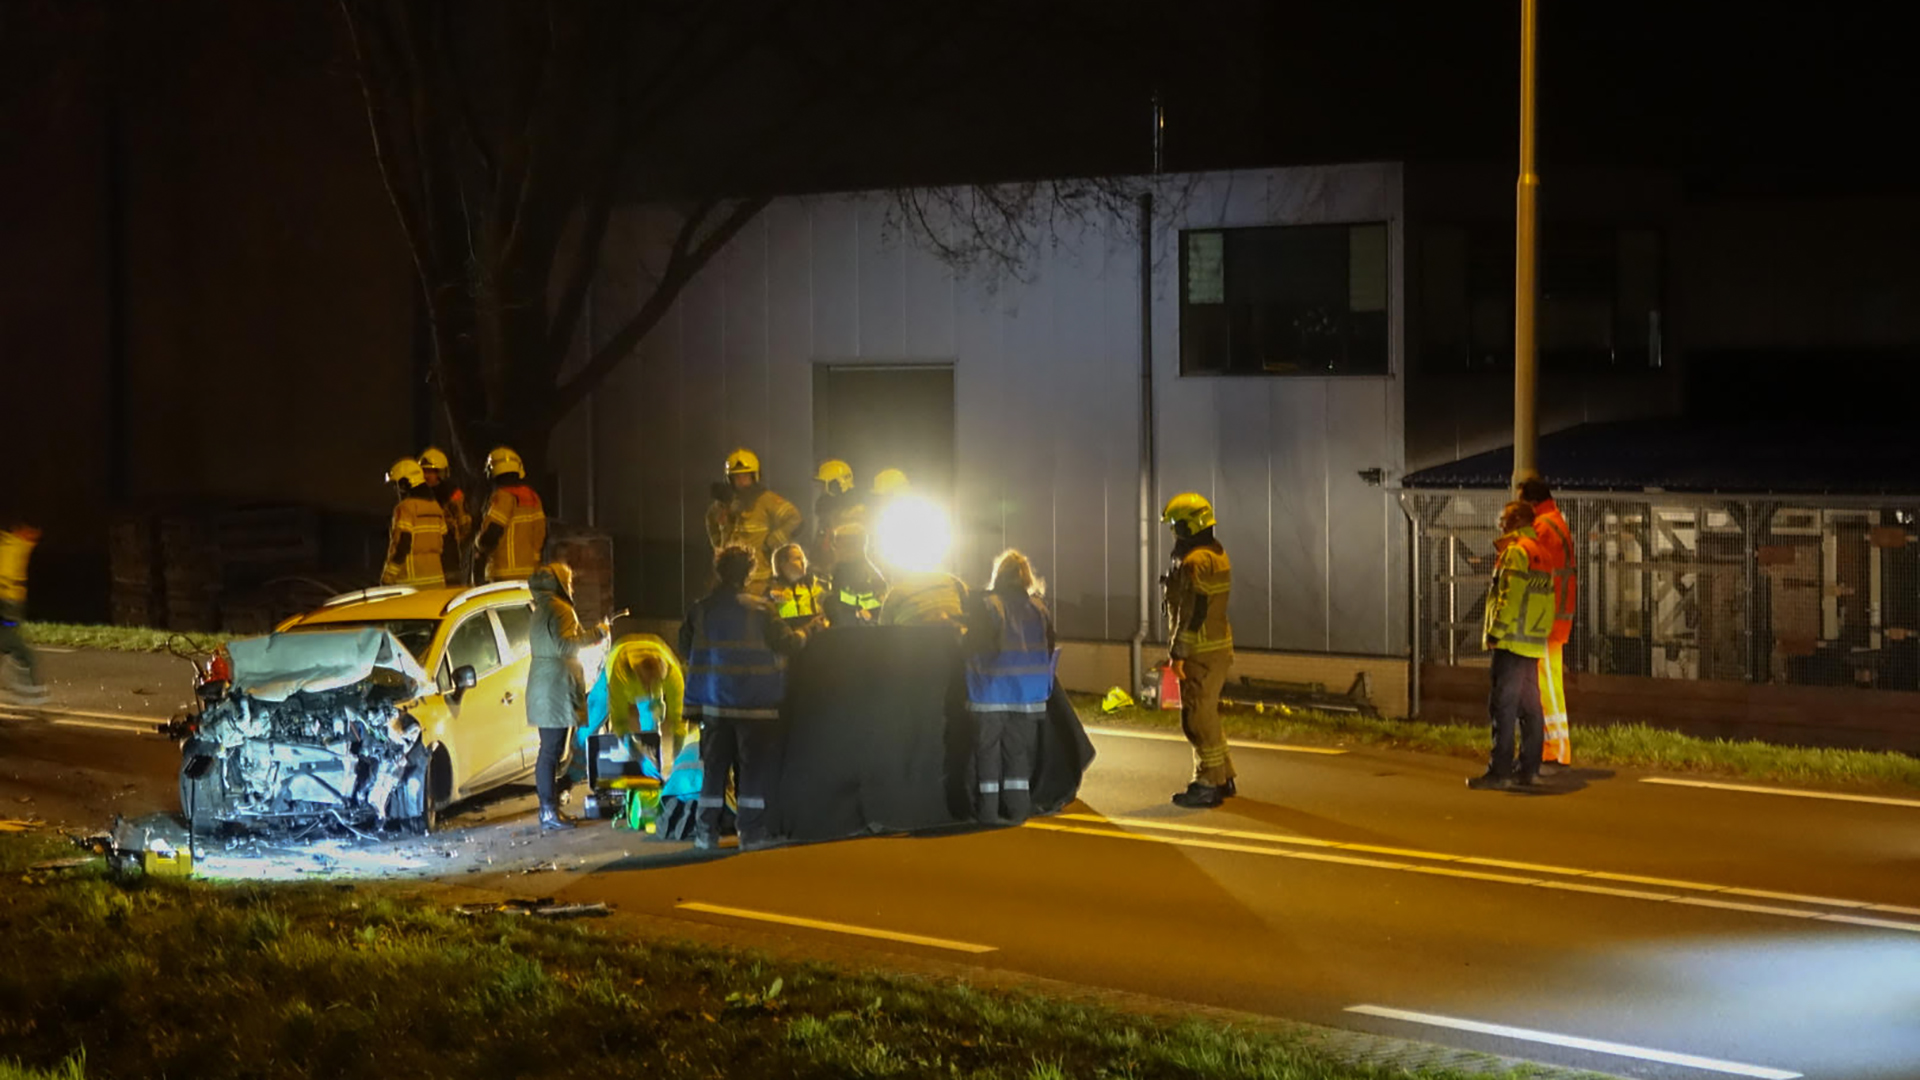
[(1716, 896)]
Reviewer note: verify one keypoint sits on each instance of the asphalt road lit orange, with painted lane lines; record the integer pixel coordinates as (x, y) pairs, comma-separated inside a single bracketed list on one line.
[(1620, 925)]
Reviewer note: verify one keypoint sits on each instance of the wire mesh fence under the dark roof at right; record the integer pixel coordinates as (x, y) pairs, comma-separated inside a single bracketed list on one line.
[(1787, 591)]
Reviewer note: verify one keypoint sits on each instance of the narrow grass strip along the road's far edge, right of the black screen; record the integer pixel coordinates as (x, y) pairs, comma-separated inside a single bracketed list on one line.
[(1637, 747)]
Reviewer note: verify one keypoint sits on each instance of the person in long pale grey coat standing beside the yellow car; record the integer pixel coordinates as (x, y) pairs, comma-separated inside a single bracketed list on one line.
[(556, 683)]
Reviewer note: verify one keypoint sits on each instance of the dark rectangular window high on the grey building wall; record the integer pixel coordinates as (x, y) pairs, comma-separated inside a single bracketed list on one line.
[(1285, 301)]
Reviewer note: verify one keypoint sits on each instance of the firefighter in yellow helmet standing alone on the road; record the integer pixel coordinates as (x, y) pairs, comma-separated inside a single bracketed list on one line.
[(1195, 595)]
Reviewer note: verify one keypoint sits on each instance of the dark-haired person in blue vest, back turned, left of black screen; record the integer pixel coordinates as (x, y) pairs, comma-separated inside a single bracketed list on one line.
[(736, 649)]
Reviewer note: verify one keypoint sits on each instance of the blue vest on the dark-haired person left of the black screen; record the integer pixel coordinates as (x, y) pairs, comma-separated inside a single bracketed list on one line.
[(732, 670)]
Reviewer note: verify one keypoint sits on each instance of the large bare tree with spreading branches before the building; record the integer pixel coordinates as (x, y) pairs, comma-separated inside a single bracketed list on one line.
[(510, 132)]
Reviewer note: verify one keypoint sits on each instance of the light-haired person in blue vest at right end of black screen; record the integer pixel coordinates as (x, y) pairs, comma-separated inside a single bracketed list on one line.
[(1009, 677)]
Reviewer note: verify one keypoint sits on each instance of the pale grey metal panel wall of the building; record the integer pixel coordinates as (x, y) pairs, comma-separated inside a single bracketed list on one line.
[(1047, 408)]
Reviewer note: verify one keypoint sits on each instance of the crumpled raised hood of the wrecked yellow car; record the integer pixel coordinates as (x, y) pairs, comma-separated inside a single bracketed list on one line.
[(279, 666)]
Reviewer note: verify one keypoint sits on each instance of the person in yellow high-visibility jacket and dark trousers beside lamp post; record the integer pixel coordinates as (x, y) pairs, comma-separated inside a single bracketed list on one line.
[(1520, 618)]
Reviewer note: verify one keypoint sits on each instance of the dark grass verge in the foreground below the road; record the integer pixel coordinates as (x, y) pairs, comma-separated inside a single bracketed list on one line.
[(189, 979)]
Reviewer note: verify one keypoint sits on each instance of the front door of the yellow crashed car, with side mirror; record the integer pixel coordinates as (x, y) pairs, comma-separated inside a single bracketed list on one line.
[(487, 720)]
